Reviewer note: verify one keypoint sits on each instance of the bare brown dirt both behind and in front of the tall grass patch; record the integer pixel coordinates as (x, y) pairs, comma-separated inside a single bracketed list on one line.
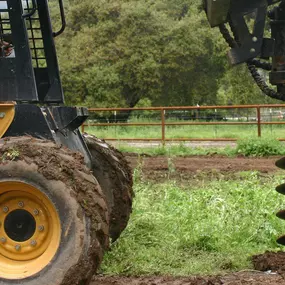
[(269, 267)]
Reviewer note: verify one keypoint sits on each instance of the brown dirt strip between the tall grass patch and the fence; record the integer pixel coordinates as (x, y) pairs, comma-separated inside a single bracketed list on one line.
[(185, 168)]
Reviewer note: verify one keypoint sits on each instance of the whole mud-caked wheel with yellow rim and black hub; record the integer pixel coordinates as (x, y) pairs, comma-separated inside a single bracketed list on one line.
[(54, 217)]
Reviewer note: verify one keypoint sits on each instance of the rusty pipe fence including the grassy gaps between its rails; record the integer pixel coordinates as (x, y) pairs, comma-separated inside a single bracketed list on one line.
[(187, 123)]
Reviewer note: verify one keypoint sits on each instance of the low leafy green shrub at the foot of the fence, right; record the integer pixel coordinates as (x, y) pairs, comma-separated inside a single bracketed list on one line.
[(260, 147)]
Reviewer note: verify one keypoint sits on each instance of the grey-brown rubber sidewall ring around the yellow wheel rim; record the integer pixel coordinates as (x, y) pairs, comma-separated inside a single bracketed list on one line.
[(75, 239)]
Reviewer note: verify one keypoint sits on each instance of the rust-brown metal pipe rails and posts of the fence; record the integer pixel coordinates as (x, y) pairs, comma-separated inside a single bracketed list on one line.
[(257, 120)]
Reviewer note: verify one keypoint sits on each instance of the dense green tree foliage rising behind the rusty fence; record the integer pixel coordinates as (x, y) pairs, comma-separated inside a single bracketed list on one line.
[(120, 53)]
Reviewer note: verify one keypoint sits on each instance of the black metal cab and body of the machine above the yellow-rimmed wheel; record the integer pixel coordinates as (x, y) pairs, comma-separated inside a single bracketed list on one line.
[(29, 75)]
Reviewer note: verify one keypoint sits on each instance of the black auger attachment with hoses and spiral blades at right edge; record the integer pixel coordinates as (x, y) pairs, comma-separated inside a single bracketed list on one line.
[(247, 21)]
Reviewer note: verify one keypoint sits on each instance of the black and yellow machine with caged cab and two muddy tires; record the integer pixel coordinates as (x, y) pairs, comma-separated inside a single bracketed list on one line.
[(62, 195)]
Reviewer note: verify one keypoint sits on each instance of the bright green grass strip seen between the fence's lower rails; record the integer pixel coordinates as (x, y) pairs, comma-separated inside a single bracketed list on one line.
[(174, 132)]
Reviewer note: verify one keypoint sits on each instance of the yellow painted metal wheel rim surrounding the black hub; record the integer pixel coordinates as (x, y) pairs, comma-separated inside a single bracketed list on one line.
[(19, 260)]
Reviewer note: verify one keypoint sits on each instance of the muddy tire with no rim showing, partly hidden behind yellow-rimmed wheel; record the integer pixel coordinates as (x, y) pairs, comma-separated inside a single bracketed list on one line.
[(114, 175)]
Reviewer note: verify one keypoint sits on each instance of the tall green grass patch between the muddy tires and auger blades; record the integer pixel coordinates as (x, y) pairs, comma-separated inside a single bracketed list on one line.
[(209, 227)]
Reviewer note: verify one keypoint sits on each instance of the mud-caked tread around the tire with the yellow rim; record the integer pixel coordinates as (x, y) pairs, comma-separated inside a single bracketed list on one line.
[(56, 163)]
